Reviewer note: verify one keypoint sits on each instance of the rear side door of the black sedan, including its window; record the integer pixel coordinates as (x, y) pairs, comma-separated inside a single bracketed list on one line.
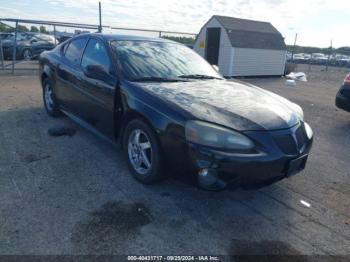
[(69, 74)]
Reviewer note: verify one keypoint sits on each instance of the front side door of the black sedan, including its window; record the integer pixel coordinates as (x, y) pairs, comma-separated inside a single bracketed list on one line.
[(98, 87)]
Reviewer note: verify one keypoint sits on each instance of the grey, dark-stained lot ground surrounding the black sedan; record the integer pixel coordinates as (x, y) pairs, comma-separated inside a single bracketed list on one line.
[(74, 195)]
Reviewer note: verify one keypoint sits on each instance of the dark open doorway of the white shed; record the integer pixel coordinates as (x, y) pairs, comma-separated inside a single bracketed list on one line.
[(212, 45)]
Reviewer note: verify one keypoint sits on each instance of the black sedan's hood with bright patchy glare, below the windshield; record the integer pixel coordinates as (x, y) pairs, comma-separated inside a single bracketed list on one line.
[(229, 103)]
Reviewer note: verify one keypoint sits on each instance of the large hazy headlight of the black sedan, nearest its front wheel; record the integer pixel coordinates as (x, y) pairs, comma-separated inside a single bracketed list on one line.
[(216, 136)]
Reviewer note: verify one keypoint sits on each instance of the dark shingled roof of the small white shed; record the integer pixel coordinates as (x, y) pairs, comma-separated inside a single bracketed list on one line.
[(245, 33)]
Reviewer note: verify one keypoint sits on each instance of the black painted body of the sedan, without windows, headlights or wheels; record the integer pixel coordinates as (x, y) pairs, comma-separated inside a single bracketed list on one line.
[(108, 105)]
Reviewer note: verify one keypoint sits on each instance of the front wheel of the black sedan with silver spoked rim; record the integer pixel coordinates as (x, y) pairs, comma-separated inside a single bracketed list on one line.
[(140, 141)]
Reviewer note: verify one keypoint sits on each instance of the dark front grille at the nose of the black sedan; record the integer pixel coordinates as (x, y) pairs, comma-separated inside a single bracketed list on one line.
[(290, 143)]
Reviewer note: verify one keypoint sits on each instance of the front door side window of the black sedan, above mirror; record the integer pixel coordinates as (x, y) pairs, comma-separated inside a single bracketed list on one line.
[(96, 55)]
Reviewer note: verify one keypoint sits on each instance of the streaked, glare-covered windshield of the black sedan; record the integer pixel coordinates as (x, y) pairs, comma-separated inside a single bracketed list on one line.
[(161, 61)]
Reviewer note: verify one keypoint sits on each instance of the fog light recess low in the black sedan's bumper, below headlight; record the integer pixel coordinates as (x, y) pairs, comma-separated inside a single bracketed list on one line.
[(208, 179)]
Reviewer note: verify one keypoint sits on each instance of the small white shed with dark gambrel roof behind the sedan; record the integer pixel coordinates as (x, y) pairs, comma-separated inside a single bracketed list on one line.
[(241, 47)]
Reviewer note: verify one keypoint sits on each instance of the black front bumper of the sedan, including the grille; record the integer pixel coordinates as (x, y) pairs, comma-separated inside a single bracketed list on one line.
[(278, 154)]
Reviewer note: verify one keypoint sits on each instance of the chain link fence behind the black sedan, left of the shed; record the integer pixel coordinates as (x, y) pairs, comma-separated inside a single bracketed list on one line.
[(22, 41)]
